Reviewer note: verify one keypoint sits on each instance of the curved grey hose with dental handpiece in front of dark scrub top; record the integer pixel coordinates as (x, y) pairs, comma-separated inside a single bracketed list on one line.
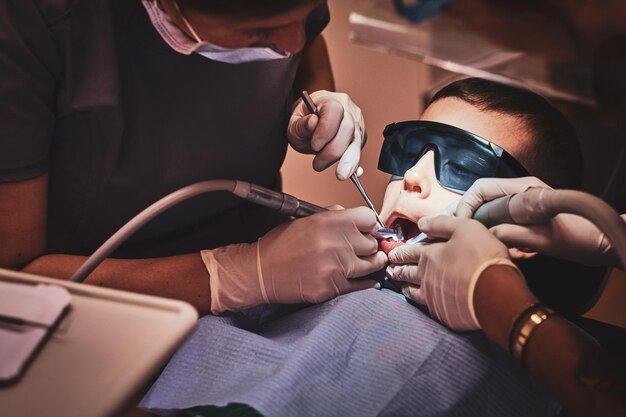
[(284, 203)]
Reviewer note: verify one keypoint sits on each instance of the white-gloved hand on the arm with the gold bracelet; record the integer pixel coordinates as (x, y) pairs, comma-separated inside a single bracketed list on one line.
[(443, 275)]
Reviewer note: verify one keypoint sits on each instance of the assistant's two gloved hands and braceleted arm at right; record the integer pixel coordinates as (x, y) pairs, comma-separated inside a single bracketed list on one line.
[(483, 289)]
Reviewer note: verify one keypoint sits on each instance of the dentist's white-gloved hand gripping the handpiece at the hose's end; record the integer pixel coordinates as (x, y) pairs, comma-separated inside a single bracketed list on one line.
[(306, 260)]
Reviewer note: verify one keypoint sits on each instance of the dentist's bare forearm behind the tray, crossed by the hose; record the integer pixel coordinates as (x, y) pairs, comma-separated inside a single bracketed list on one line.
[(182, 277)]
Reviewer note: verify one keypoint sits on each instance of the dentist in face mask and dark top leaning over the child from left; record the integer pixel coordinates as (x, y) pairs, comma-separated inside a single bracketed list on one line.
[(108, 105)]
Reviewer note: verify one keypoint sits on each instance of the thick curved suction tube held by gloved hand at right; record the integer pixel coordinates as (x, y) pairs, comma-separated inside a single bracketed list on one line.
[(538, 205)]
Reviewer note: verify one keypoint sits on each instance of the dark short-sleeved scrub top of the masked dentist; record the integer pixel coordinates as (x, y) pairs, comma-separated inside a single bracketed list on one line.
[(91, 93)]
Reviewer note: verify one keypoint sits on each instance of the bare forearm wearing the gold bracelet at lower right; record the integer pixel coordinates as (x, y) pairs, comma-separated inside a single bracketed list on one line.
[(571, 365)]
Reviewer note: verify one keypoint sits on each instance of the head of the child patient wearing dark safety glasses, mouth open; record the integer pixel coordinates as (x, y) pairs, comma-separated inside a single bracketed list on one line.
[(472, 128)]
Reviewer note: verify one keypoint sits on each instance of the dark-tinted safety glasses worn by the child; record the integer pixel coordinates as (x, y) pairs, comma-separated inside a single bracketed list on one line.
[(460, 156)]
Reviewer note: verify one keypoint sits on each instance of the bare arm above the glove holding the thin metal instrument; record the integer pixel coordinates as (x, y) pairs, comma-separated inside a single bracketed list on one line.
[(314, 72)]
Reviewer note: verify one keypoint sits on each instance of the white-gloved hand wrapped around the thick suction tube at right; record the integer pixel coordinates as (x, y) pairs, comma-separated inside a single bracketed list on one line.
[(566, 236)]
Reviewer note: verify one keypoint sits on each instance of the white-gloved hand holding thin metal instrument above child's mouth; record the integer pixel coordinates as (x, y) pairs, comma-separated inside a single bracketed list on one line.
[(338, 134)]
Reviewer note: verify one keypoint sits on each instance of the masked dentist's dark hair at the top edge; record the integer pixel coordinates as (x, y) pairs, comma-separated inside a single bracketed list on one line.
[(243, 8)]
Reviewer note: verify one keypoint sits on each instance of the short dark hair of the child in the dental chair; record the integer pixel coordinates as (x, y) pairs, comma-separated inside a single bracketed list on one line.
[(554, 156)]
